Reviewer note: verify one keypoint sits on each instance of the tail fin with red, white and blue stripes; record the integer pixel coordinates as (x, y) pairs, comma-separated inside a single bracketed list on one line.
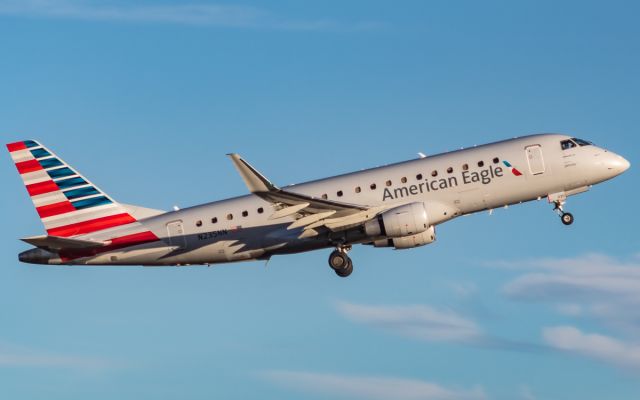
[(67, 202)]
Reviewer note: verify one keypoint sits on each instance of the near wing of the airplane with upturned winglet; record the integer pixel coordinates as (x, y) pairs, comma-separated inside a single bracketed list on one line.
[(310, 212)]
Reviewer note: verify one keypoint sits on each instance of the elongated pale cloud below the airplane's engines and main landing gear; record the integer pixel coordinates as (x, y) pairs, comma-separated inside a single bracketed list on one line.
[(415, 321)]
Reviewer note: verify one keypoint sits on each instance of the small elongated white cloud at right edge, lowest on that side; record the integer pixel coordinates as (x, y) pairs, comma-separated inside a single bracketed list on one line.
[(595, 346)]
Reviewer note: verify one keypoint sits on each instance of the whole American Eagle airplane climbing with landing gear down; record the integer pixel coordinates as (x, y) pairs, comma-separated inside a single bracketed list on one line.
[(395, 206)]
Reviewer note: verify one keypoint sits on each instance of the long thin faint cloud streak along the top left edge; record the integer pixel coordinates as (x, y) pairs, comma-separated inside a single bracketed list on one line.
[(198, 13)]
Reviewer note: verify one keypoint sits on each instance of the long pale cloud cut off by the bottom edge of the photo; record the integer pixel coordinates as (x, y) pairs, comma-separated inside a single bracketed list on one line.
[(370, 387)]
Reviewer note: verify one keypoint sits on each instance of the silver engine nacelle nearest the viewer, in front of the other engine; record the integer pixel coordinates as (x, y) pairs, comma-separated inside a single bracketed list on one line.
[(406, 220)]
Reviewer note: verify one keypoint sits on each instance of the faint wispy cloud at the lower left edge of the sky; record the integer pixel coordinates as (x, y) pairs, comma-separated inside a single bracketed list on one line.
[(18, 356)]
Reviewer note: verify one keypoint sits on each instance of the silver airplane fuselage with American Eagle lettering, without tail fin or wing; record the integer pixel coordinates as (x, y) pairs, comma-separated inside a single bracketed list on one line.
[(447, 185)]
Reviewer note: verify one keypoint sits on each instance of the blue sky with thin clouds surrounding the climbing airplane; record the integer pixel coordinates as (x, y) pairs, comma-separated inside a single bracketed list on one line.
[(145, 98)]
